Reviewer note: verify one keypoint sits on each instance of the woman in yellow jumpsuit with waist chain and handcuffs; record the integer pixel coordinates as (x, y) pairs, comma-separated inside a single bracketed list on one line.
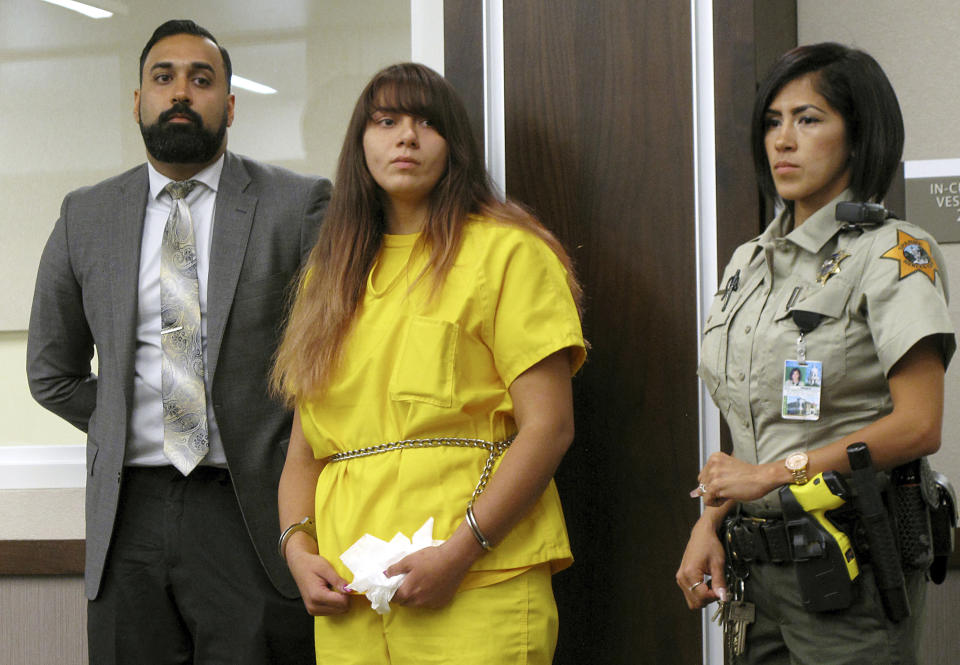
[(429, 311)]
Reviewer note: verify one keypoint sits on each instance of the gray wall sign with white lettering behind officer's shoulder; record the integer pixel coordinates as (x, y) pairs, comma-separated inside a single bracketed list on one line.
[(932, 192)]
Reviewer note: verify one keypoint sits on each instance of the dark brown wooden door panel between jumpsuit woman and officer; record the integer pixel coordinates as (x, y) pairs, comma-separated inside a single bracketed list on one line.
[(599, 142)]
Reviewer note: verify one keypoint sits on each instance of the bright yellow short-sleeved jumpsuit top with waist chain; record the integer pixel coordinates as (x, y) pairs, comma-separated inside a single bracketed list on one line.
[(424, 364)]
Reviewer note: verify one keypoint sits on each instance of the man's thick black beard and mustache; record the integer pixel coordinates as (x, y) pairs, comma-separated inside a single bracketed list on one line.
[(183, 143)]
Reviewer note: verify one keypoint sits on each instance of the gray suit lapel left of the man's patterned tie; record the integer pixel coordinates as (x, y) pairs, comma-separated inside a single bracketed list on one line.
[(126, 236)]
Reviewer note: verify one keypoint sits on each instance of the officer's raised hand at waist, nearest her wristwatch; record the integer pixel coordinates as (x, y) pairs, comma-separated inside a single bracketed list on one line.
[(726, 477)]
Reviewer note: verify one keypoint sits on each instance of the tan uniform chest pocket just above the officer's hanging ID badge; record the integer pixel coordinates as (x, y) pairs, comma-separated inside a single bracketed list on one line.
[(827, 341)]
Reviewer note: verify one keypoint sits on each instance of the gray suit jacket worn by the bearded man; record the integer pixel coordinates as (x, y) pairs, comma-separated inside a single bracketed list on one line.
[(265, 222)]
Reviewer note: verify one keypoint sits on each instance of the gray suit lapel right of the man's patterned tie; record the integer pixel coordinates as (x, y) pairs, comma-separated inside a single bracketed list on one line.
[(232, 219)]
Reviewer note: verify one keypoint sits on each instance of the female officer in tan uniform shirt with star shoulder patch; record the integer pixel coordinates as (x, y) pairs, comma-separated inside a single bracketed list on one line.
[(826, 128)]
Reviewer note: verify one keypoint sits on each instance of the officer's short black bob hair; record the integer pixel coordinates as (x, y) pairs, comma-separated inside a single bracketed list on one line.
[(855, 86)]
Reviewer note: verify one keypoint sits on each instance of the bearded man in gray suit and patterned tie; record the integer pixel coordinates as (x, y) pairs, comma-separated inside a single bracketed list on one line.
[(181, 556)]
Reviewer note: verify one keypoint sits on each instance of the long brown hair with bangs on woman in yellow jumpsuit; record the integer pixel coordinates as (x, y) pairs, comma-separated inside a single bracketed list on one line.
[(332, 282)]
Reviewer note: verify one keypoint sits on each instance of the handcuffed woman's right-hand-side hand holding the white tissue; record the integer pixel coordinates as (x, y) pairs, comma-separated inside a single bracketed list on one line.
[(433, 575)]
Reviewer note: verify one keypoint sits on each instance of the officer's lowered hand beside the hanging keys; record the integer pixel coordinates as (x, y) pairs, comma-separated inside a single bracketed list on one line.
[(703, 556)]
